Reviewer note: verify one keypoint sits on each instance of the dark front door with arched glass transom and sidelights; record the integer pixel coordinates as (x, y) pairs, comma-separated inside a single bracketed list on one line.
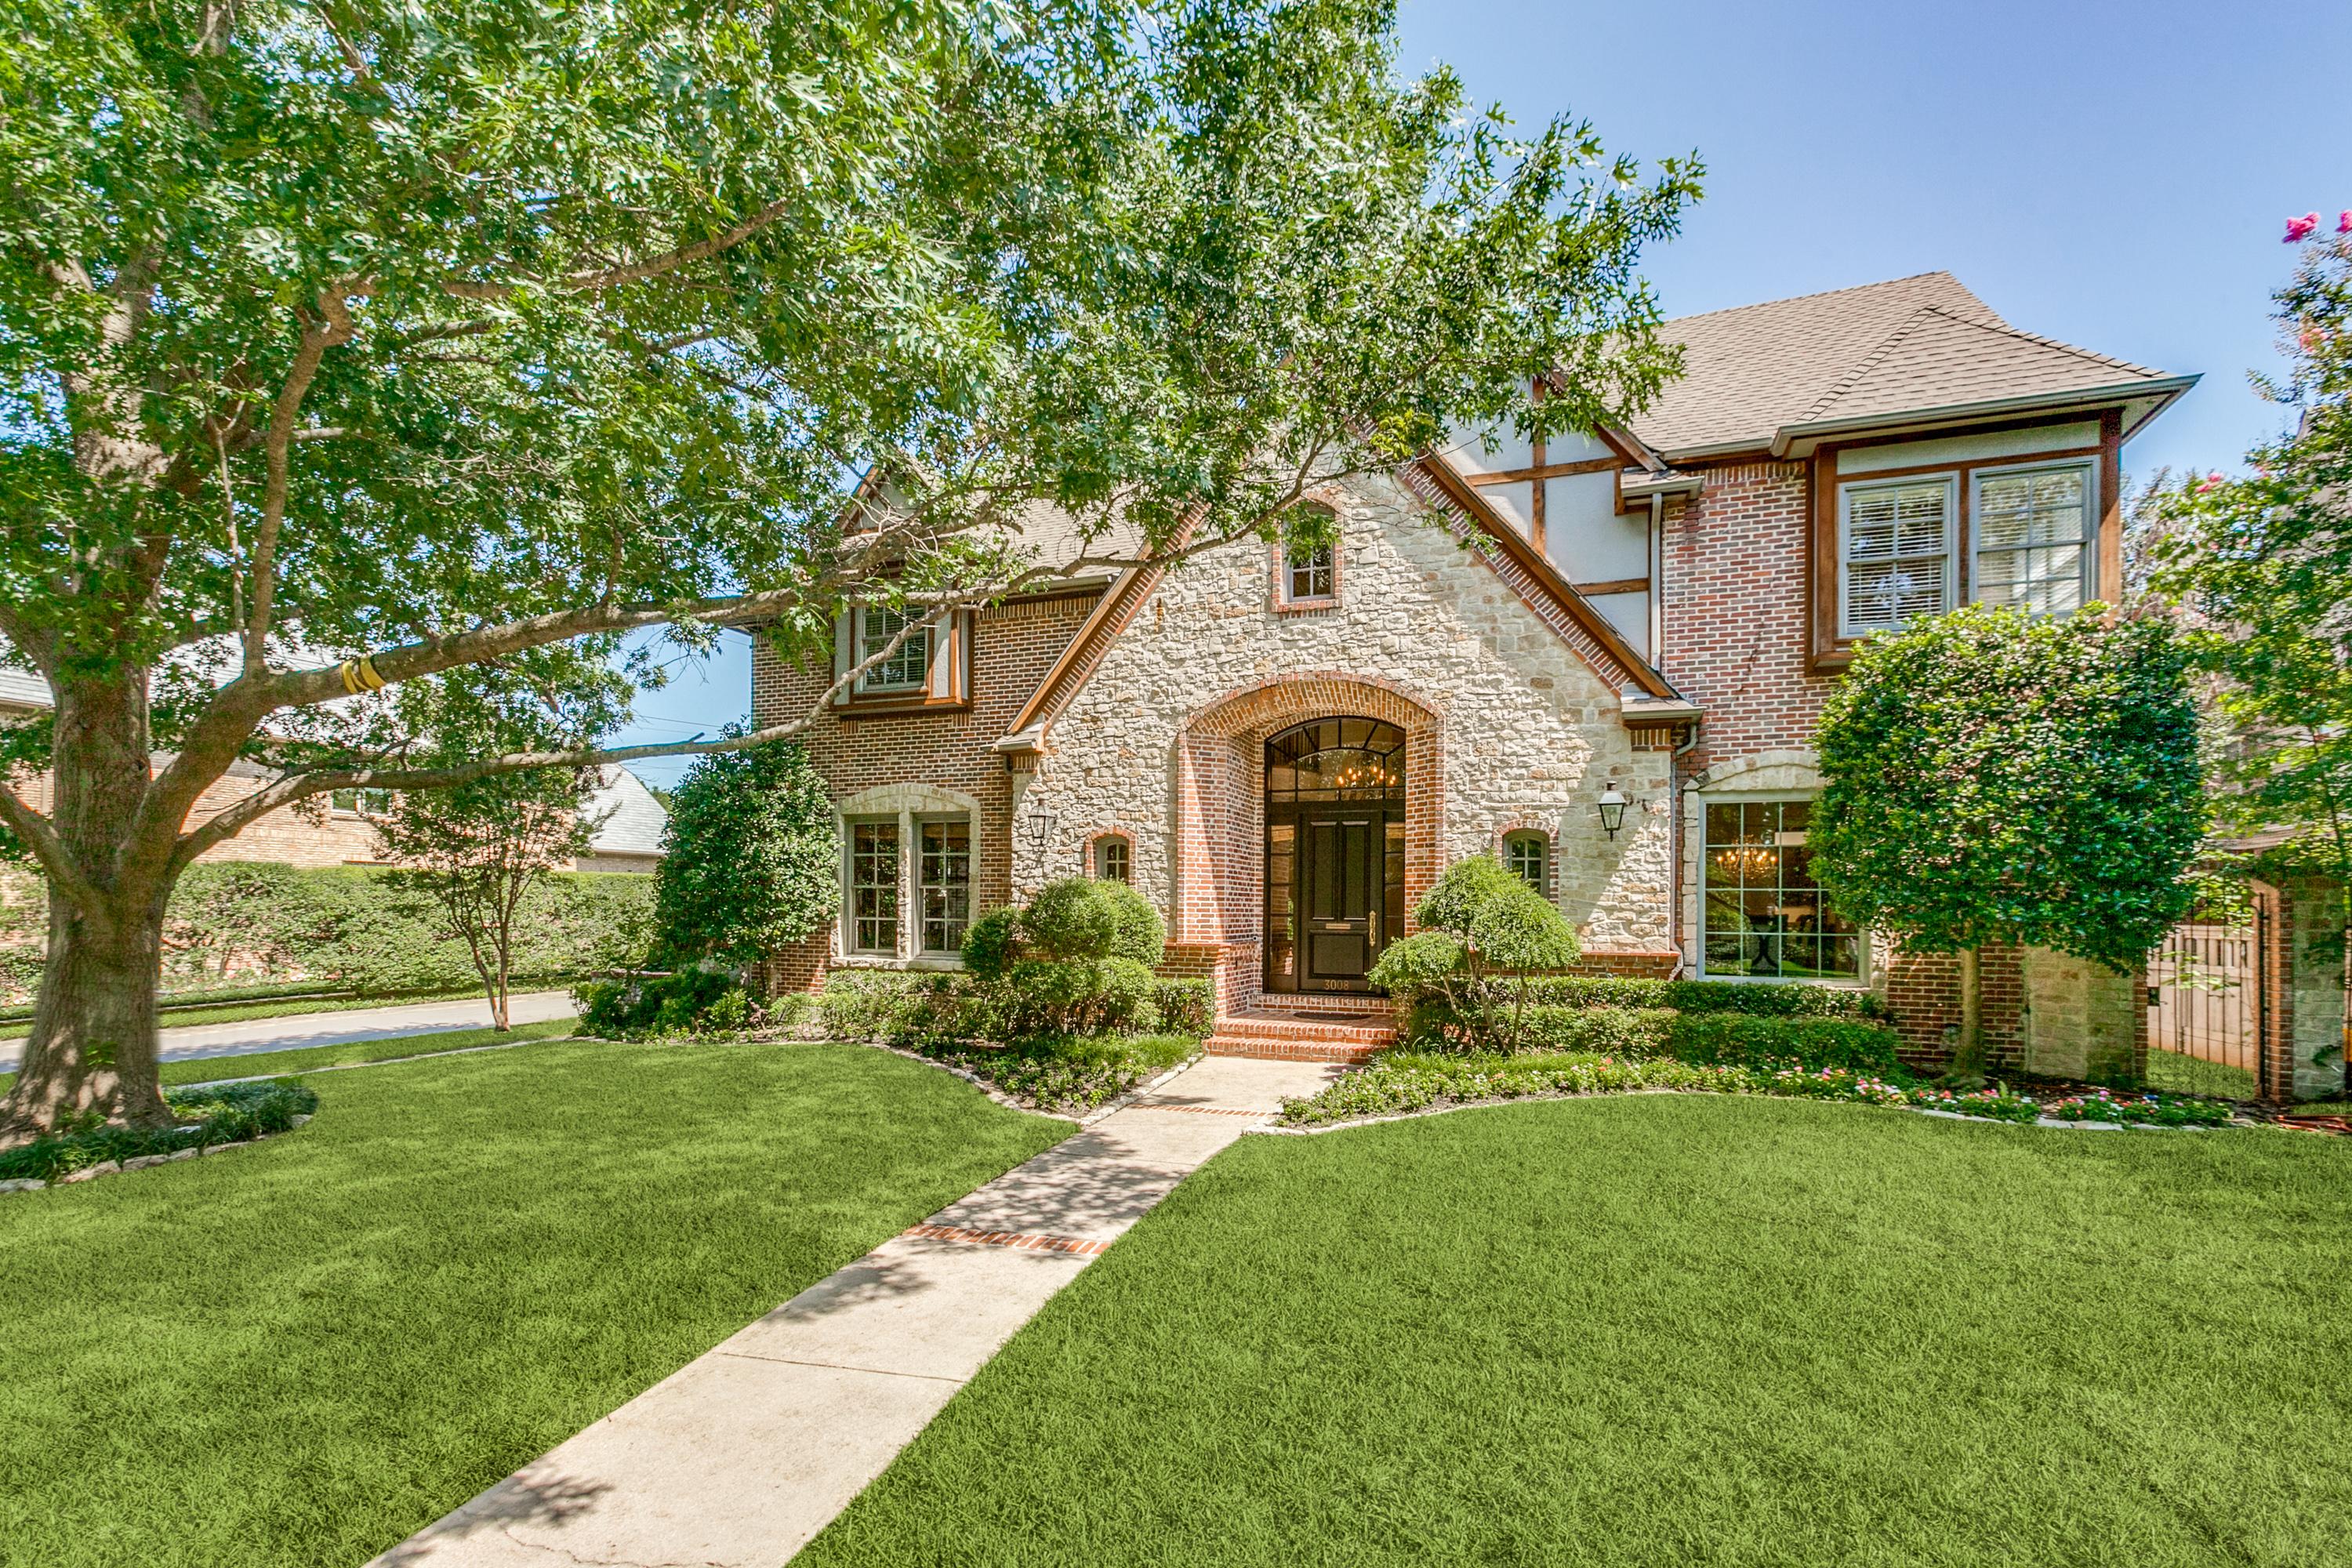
[(1335, 852)]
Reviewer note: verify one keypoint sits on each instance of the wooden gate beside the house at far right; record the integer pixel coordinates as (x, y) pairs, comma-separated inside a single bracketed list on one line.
[(2207, 1007)]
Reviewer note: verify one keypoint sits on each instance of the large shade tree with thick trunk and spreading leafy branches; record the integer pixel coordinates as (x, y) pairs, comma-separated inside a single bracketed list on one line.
[(356, 347)]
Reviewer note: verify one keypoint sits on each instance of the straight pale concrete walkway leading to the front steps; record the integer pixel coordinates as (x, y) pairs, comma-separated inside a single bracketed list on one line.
[(744, 1454)]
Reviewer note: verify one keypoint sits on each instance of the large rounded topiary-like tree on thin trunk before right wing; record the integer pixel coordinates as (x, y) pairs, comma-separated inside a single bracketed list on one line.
[(1996, 777)]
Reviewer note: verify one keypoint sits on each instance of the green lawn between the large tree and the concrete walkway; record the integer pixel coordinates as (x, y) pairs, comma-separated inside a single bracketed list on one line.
[(305, 1351)]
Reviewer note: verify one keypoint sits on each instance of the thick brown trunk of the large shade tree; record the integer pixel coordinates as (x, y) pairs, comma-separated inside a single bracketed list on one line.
[(93, 1045)]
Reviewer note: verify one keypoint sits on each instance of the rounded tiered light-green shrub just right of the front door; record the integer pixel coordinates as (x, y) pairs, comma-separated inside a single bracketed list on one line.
[(1483, 942)]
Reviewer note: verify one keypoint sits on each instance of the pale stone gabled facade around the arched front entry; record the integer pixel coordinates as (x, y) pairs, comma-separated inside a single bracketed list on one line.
[(1506, 728)]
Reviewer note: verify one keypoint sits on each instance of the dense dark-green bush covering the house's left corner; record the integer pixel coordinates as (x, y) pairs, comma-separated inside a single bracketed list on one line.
[(751, 859)]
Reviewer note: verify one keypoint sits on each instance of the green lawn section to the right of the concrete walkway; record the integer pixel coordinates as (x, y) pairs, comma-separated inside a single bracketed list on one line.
[(1676, 1329)]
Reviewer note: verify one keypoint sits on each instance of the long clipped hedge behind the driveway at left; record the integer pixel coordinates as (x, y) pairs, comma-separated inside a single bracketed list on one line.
[(255, 923)]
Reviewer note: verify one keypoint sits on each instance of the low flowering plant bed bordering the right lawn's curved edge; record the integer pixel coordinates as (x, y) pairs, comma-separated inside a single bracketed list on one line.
[(1408, 1083)]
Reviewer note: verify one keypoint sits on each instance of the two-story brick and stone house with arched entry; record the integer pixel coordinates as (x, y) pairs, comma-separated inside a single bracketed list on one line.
[(1598, 659)]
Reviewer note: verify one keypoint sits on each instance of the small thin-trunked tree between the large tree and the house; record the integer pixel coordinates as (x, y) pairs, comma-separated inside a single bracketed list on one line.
[(481, 847)]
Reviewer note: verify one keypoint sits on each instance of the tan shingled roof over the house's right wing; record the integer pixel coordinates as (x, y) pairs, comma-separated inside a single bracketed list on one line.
[(1850, 356)]
